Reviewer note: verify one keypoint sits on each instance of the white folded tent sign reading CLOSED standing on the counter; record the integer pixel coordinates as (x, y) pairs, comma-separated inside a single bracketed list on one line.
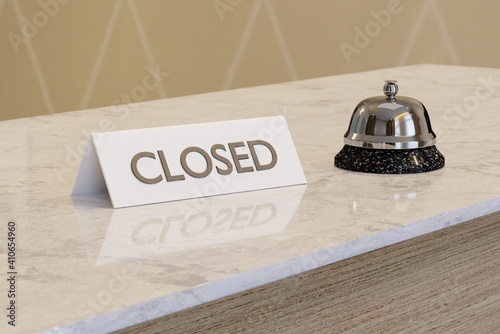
[(180, 162)]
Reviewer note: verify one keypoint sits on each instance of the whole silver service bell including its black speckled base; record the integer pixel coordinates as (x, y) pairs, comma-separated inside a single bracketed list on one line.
[(390, 135)]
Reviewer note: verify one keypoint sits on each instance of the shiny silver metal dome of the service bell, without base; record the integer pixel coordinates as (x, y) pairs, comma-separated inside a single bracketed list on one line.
[(390, 122)]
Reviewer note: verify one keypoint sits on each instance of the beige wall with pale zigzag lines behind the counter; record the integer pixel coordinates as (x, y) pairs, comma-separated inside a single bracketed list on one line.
[(61, 55)]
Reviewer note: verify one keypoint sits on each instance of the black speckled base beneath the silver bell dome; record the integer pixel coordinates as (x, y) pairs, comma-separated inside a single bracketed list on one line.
[(407, 161)]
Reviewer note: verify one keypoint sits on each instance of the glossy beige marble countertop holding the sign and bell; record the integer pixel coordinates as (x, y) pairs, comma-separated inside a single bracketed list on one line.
[(85, 267)]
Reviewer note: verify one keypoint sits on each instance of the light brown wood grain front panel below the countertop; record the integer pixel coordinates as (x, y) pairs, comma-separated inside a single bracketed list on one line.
[(445, 281)]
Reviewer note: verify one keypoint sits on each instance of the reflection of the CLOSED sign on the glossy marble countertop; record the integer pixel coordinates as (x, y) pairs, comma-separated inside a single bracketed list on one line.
[(150, 230)]
